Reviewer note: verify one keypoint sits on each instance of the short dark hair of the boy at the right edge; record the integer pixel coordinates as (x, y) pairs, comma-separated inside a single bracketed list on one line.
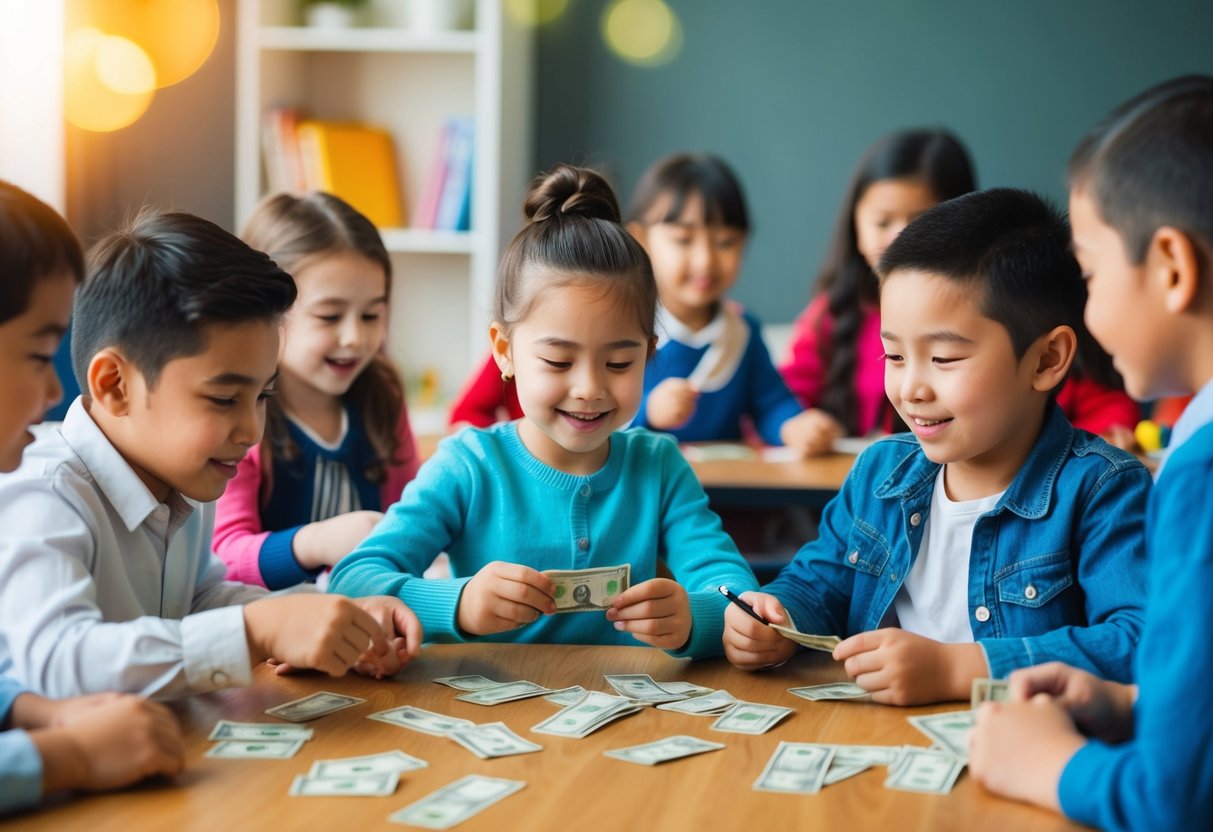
[(1151, 164)]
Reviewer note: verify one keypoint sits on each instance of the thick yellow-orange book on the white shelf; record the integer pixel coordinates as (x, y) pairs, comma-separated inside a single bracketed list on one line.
[(356, 163)]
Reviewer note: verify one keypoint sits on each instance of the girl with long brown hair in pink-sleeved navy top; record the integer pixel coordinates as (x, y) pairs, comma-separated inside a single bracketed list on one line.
[(338, 446)]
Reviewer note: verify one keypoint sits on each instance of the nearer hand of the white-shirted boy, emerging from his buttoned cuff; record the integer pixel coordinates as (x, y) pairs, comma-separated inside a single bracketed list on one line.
[(324, 632)]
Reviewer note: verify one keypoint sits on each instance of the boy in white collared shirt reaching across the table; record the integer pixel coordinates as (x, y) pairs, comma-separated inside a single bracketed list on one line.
[(107, 578)]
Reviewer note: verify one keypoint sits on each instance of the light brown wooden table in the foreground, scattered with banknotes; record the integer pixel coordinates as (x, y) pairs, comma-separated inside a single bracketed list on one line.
[(571, 785)]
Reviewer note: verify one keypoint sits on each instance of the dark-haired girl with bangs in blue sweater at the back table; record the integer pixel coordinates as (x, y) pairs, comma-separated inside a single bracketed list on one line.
[(713, 369)]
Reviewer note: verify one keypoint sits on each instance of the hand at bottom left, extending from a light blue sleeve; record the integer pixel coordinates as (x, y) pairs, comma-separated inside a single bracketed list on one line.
[(111, 744)]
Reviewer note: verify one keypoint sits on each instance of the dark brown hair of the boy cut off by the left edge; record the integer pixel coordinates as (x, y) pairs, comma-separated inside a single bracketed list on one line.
[(36, 243)]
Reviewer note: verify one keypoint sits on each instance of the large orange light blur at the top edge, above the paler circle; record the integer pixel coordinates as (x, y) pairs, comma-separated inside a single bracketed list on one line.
[(179, 36)]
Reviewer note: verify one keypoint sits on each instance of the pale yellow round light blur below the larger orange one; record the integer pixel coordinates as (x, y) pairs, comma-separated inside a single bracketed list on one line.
[(109, 81)]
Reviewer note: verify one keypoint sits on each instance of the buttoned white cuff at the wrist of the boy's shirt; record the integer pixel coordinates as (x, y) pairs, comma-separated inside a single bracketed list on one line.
[(215, 649)]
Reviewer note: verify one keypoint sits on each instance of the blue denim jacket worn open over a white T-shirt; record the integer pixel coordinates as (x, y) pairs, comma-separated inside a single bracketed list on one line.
[(1057, 569)]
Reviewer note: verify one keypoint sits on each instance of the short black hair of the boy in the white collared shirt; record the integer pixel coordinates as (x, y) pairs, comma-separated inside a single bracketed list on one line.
[(155, 287)]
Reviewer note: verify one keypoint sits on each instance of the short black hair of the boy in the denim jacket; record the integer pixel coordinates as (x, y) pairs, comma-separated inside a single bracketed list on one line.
[(1012, 247)]
